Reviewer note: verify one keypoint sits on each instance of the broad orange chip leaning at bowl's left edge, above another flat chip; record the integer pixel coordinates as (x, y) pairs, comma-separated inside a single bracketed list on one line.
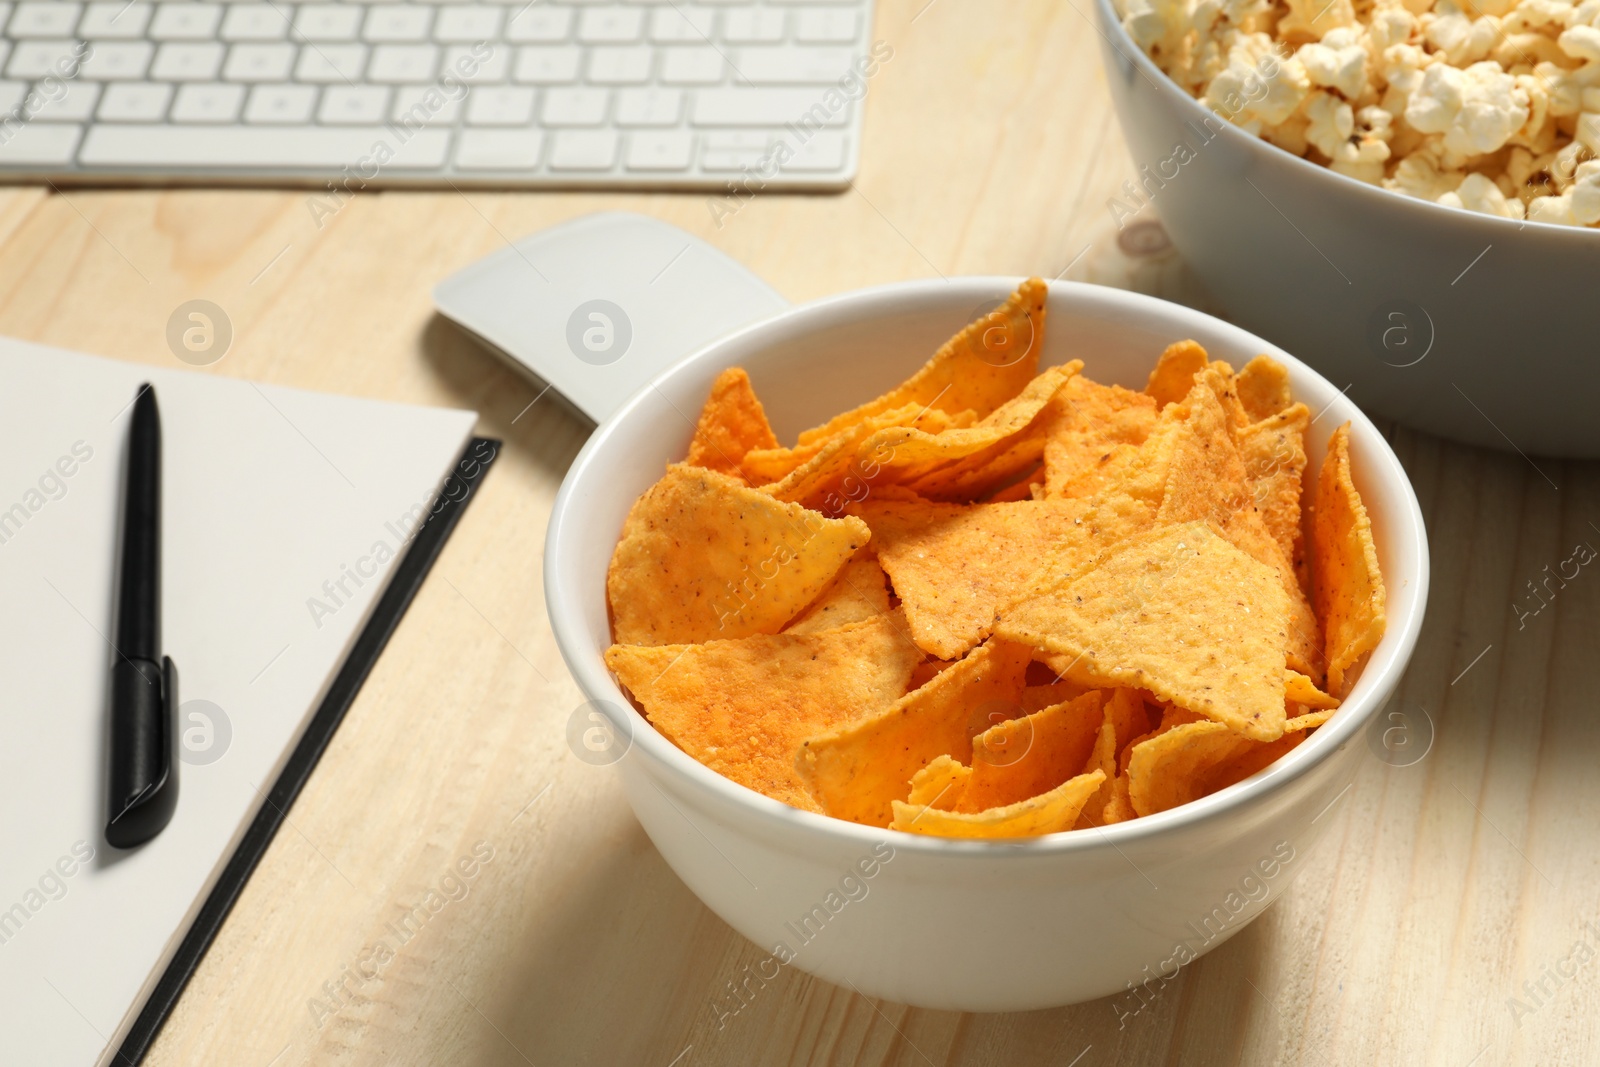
[(706, 557)]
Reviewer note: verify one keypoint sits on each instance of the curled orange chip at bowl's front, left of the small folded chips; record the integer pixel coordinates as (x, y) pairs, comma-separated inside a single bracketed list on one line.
[(858, 772)]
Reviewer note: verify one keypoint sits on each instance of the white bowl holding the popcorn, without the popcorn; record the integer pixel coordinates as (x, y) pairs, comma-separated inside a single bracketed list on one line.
[(1460, 324)]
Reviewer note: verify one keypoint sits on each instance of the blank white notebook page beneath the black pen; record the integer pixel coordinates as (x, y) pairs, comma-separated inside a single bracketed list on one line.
[(284, 516)]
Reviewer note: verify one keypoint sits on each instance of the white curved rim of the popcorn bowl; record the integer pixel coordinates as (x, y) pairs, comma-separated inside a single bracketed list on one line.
[(1111, 23)]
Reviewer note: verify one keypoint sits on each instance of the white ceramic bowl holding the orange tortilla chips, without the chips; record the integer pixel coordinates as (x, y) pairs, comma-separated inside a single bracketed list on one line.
[(964, 925)]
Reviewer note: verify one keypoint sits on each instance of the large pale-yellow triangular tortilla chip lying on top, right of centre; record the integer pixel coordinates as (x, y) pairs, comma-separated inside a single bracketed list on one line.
[(1178, 612)]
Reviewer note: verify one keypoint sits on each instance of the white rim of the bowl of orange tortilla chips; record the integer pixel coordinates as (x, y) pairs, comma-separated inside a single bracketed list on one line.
[(604, 692)]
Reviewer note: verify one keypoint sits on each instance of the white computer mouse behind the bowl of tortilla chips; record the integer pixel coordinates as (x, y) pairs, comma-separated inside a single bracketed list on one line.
[(599, 306)]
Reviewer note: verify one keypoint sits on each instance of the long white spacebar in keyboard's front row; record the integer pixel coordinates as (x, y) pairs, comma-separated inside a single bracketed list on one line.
[(364, 150)]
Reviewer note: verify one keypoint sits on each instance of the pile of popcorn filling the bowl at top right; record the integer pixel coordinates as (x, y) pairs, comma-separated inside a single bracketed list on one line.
[(1492, 108)]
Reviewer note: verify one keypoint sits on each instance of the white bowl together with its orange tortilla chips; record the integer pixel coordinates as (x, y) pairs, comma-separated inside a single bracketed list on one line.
[(985, 645)]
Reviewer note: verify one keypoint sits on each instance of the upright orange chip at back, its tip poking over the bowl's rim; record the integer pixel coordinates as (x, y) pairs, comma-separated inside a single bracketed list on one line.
[(980, 369)]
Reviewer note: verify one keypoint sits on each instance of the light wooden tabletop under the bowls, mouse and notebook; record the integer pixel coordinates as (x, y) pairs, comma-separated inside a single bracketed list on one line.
[(990, 150)]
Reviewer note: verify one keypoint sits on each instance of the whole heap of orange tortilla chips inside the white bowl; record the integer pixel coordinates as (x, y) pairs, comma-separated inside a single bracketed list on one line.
[(999, 602)]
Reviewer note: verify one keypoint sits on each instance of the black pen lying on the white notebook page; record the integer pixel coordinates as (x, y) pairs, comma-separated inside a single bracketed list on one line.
[(143, 684)]
